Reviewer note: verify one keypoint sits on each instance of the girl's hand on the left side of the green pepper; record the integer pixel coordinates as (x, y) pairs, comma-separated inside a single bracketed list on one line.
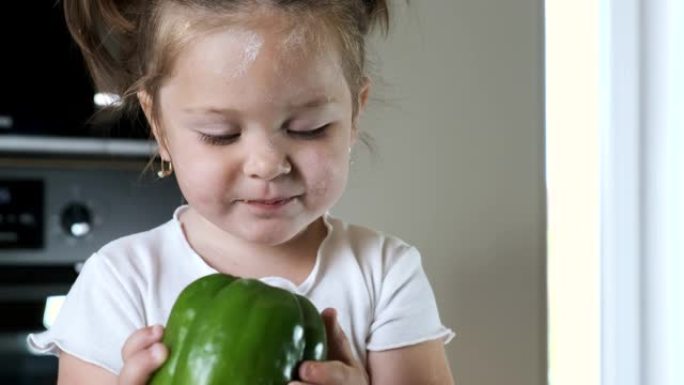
[(142, 353)]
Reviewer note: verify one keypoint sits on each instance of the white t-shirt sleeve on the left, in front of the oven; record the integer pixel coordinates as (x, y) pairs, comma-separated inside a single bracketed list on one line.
[(97, 317)]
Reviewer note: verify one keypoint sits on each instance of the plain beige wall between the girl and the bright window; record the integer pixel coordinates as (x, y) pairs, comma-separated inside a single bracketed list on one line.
[(459, 172)]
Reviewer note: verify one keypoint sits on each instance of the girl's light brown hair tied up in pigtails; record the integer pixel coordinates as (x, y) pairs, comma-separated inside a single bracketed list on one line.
[(131, 45)]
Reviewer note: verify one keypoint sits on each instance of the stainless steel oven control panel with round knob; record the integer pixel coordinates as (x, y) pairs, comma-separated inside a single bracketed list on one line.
[(108, 199)]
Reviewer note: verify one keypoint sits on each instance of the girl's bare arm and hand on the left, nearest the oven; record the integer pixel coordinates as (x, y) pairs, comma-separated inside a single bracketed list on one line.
[(142, 354)]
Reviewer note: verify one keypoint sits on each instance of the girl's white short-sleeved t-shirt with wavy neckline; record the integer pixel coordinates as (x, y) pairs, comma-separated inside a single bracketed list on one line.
[(376, 283)]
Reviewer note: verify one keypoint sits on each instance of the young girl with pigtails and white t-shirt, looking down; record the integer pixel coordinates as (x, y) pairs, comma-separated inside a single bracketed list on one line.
[(254, 105)]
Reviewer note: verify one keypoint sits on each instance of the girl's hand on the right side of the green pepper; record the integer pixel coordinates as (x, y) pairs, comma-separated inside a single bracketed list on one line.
[(342, 368)]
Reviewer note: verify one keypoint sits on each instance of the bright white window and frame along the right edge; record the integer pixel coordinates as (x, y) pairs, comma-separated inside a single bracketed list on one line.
[(615, 70)]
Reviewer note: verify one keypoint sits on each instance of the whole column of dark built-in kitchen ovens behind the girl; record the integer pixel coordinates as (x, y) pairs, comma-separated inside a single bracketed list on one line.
[(68, 184)]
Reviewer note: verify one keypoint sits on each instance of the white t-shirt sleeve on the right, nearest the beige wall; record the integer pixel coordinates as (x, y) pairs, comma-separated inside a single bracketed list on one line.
[(406, 312)]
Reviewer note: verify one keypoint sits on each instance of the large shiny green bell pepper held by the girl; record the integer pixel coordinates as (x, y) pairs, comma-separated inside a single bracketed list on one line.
[(236, 331)]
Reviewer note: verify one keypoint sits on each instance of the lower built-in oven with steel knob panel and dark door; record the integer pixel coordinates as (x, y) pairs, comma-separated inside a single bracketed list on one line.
[(54, 212)]
